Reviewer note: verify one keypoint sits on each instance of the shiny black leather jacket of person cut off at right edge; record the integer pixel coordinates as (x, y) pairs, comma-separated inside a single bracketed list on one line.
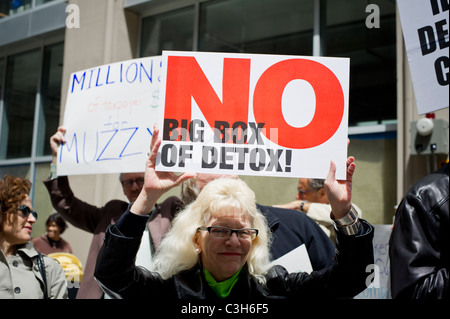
[(419, 246)]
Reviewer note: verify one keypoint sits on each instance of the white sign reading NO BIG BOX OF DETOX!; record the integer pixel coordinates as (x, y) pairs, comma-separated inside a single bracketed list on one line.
[(250, 114)]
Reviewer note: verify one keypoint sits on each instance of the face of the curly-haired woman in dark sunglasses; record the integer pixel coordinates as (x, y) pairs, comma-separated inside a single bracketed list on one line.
[(17, 228)]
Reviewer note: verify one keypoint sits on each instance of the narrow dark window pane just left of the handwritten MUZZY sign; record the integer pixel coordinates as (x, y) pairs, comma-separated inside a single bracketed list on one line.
[(50, 97)]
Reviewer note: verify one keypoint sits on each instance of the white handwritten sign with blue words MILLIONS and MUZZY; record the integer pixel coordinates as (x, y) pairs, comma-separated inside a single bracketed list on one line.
[(109, 115)]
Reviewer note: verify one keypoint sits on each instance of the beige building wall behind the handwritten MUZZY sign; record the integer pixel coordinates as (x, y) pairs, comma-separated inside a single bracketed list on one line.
[(107, 34)]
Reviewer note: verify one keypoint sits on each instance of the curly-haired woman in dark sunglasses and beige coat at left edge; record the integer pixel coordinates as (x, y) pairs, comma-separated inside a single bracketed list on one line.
[(24, 273)]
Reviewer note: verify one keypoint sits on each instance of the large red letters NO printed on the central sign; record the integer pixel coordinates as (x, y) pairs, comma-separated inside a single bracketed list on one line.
[(186, 80)]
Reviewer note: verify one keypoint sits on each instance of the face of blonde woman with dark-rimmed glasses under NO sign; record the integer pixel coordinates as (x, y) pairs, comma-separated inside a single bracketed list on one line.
[(223, 257)]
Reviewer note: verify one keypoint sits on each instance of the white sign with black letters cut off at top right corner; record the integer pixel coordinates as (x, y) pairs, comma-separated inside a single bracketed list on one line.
[(425, 26)]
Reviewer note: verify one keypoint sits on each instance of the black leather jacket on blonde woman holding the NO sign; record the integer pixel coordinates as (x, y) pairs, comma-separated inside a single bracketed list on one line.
[(120, 278)]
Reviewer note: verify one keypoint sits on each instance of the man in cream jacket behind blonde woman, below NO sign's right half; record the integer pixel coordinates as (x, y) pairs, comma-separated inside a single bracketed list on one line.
[(312, 200)]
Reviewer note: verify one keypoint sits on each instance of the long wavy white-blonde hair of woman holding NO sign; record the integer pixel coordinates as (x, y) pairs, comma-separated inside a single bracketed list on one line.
[(177, 251)]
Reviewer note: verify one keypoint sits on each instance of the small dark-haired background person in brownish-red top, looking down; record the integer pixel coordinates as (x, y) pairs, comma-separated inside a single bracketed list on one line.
[(52, 242)]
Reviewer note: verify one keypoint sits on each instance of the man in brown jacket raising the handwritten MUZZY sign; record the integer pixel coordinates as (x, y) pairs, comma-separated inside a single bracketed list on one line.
[(95, 220)]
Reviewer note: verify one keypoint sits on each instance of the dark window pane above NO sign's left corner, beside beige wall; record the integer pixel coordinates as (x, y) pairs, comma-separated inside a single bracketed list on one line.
[(168, 31)]
